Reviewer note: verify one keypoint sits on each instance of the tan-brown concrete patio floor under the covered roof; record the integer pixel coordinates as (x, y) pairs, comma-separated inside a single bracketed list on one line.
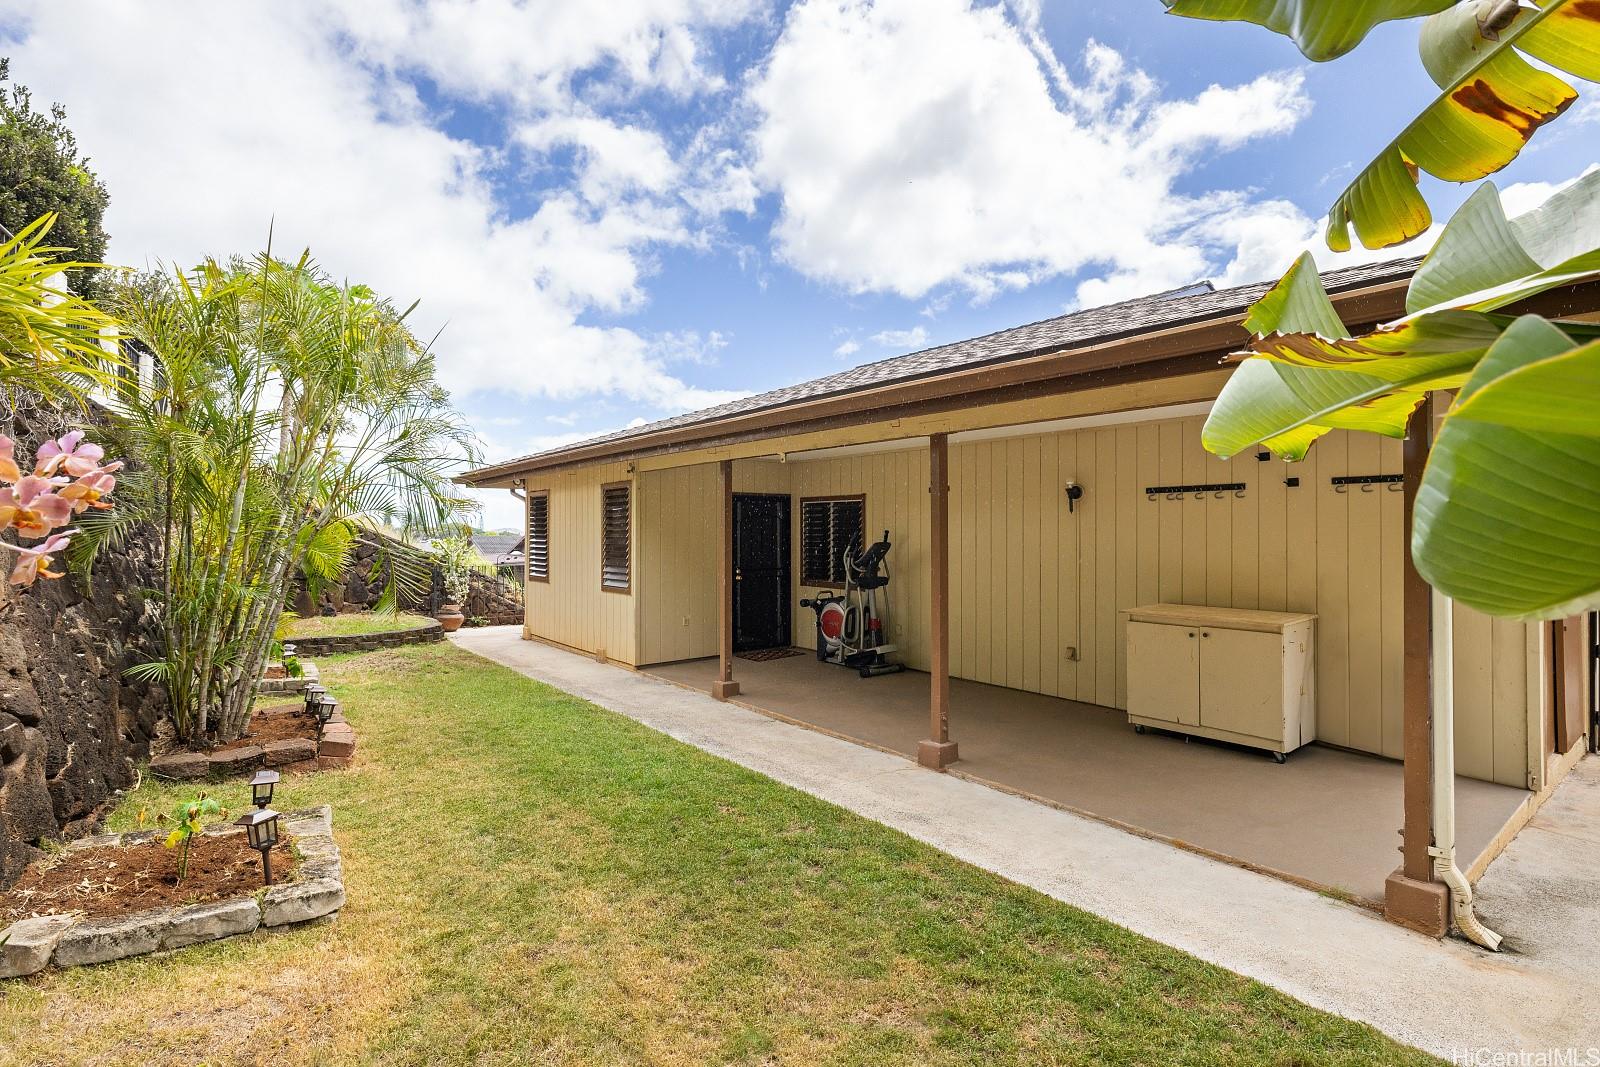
[(1326, 817)]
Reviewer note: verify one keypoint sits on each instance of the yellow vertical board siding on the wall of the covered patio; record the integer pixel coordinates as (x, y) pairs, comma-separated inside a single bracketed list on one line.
[(1036, 591)]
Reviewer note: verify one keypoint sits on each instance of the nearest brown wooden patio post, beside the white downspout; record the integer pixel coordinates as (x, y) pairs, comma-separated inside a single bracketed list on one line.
[(1412, 897)]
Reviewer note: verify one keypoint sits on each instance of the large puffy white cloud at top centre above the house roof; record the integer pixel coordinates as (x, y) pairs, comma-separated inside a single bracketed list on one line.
[(929, 143)]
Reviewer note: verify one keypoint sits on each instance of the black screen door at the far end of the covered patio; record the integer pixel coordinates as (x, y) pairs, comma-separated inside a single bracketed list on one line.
[(761, 572)]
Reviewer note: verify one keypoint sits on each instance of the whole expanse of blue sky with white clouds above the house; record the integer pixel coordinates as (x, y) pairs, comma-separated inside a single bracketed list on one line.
[(618, 212)]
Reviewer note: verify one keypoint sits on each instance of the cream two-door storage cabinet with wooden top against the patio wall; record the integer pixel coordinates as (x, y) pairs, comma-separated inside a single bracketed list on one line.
[(1230, 674)]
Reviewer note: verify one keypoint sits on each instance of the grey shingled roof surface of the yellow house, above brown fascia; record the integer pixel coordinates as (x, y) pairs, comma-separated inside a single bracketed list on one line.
[(1095, 326)]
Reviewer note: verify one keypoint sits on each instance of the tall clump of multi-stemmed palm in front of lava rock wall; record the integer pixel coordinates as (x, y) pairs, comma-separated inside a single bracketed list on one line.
[(292, 414)]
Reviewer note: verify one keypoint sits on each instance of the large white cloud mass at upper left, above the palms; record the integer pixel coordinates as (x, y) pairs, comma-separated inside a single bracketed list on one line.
[(297, 118)]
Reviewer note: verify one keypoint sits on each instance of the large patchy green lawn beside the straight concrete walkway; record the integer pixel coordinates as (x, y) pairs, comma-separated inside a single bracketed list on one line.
[(534, 881)]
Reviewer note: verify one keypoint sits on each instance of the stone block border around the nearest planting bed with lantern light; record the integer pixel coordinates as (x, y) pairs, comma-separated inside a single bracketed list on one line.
[(318, 892)]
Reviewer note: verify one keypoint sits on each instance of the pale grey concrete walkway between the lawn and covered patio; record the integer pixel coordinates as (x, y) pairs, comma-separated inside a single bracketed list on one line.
[(1444, 997)]
